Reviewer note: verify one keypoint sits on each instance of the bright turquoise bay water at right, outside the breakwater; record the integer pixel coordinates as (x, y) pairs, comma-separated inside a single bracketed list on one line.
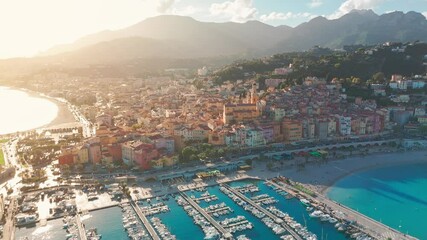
[(395, 196)]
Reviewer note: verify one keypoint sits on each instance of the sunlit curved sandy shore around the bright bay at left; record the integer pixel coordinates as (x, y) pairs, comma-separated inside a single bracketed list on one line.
[(64, 116)]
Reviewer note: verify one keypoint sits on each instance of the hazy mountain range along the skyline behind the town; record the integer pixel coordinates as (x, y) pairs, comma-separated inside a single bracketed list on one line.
[(183, 37)]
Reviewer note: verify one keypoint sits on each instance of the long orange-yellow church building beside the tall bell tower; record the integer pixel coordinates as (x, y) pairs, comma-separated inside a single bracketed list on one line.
[(240, 112)]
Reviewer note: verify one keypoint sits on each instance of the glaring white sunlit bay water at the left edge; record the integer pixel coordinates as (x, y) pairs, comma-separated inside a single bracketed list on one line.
[(20, 112)]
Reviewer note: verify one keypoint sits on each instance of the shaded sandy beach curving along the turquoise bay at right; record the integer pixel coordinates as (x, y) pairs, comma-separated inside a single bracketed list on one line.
[(320, 177)]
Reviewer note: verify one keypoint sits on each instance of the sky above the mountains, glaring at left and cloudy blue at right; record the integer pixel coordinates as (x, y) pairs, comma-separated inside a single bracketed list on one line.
[(28, 27)]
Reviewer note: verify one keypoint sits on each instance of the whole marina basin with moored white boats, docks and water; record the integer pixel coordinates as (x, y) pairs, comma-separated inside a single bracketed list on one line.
[(245, 209)]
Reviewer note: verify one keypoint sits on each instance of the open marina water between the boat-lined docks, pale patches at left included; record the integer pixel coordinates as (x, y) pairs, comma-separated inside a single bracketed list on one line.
[(109, 221)]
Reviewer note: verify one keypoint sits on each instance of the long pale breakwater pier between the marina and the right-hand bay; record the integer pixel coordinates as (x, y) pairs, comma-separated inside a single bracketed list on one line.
[(367, 225)]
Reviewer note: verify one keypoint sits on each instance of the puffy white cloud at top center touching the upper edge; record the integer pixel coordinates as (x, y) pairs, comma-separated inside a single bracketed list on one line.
[(236, 11)]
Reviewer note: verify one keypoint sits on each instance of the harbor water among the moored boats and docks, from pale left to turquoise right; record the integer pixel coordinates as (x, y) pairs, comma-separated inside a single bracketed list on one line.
[(108, 222)]
